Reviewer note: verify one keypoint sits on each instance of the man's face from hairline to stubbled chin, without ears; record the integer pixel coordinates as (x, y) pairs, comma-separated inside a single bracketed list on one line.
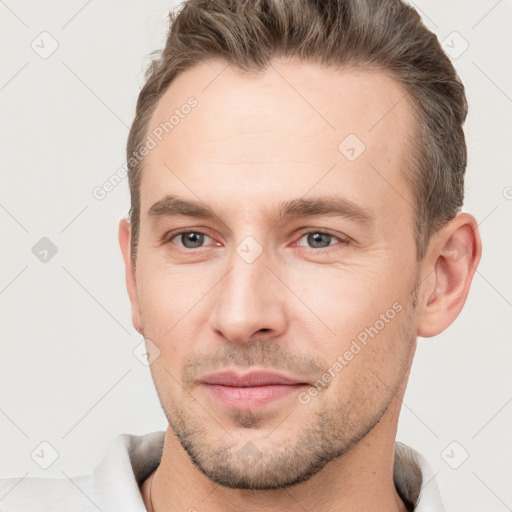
[(277, 280)]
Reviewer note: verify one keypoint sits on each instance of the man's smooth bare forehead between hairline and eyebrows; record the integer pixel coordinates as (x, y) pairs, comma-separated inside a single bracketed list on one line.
[(287, 125)]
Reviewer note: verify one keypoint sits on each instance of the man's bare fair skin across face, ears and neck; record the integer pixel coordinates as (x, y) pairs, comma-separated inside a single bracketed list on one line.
[(252, 143)]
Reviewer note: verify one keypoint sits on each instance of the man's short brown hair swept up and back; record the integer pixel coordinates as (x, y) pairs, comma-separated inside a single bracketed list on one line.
[(386, 35)]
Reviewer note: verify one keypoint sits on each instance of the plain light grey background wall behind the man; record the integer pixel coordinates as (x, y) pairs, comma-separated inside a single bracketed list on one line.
[(67, 372)]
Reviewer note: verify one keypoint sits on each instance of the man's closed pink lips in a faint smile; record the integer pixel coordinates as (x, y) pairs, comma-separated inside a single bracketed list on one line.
[(251, 390)]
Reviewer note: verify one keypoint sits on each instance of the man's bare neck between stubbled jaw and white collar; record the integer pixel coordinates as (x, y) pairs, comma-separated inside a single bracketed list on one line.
[(359, 480)]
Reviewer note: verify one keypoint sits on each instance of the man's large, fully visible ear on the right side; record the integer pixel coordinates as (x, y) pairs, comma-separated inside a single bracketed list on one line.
[(452, 256)]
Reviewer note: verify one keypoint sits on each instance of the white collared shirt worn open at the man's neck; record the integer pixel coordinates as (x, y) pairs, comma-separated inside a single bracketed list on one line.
[(114, 484)]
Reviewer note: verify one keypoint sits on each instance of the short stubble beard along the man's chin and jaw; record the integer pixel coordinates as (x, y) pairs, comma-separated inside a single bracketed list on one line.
[(251, 461)]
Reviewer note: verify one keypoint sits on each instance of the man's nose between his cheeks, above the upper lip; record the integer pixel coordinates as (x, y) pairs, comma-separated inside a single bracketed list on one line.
[(249, 301)]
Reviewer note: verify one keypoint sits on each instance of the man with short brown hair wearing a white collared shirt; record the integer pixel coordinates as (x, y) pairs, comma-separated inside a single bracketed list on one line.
[(296, 175)]
